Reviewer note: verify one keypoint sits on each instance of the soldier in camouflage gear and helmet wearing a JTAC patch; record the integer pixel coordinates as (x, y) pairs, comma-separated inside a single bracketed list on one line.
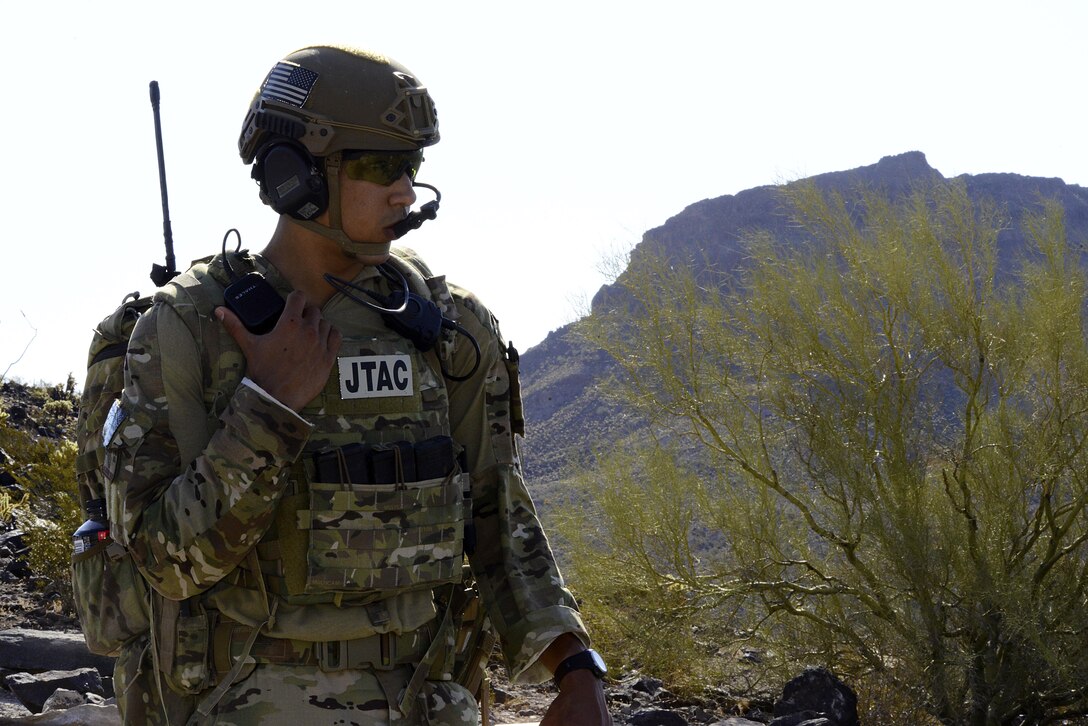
[(313, 439)]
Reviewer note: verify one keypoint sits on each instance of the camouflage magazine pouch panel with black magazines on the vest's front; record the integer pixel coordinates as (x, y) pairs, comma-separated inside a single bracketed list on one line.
[(343, 542)]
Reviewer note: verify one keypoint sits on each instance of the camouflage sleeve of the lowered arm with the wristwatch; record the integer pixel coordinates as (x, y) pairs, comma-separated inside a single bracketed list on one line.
[(518, 579)]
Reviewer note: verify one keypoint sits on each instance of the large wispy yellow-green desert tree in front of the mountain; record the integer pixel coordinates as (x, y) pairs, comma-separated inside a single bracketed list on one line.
[(868, 452)]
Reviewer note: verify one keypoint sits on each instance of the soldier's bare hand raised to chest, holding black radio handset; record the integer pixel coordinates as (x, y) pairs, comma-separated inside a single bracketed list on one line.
[(293, 361)]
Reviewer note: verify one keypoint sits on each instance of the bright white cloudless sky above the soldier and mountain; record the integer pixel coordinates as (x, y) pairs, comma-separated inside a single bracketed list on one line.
[(568, 129)]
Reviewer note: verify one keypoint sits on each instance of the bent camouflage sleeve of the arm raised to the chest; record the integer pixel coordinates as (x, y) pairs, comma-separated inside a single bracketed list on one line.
[(193, 494)]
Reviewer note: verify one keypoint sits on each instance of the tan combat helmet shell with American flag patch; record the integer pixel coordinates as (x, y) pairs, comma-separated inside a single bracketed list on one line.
[(335, 99)]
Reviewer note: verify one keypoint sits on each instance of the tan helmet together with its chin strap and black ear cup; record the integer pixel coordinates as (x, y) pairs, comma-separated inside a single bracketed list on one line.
[(318, 103)]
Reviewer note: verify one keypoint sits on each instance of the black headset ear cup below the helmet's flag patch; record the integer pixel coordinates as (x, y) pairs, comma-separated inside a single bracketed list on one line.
[(291, 180)]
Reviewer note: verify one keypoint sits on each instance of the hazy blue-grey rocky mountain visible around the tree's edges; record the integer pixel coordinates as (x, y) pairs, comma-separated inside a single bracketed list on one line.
[(561, 377)]
